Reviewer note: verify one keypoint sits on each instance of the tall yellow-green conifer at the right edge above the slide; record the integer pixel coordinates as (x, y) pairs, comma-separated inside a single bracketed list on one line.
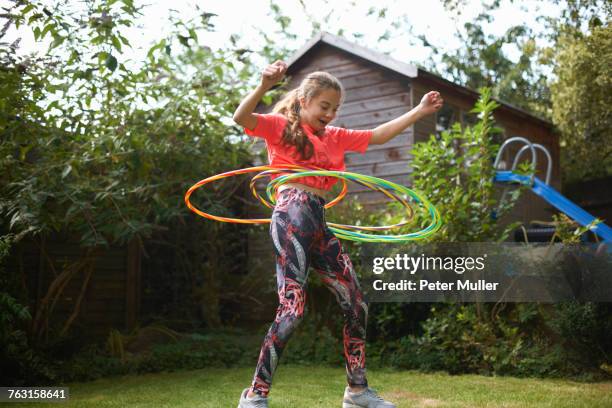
[(582, 100)]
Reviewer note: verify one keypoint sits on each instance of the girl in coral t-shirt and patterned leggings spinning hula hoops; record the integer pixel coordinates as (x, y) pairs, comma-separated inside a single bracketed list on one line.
[(298, 132)]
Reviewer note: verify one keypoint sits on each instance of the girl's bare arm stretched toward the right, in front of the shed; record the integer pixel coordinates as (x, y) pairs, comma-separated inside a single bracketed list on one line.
[(431, 103)]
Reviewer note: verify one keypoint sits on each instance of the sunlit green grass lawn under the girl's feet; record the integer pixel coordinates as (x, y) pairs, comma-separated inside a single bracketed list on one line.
[(304, 386)]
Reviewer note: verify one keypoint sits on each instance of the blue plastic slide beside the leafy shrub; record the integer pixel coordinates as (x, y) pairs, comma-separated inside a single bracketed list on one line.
[(557, 200)]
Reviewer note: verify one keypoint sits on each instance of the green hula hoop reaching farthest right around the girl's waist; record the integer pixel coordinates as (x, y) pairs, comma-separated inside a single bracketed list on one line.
[(347, 233)]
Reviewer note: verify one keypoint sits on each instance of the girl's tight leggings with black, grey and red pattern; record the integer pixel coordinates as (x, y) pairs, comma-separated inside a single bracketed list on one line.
[(300, 238)]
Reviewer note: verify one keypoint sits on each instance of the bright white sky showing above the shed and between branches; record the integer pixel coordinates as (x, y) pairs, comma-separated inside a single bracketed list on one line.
[(246, 17)]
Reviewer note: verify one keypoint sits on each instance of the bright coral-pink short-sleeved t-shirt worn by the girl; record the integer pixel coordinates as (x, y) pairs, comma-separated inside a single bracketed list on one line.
[(328, 152)]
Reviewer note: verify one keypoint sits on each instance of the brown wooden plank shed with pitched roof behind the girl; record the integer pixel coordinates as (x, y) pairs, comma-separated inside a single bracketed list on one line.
[(379, 88)]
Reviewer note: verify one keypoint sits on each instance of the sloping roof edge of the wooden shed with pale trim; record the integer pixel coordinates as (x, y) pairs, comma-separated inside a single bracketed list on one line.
[(402, 68)]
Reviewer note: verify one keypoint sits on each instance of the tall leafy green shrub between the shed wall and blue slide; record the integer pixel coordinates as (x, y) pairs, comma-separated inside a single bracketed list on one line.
[(455, 172)]
